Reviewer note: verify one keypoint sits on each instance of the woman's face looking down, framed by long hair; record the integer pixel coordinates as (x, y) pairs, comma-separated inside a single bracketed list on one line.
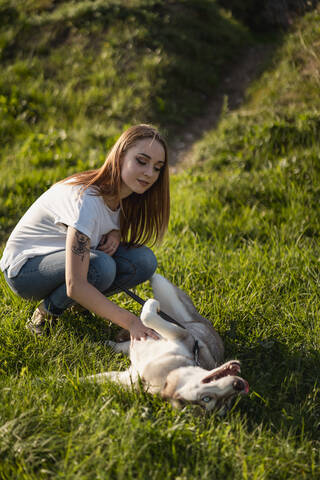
[(140, 166)]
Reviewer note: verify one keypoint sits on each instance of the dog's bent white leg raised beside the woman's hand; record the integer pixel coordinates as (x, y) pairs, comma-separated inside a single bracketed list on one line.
[(151, 319)]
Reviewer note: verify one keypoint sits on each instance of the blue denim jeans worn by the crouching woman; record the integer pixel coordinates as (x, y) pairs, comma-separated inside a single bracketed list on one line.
[(43, 277)]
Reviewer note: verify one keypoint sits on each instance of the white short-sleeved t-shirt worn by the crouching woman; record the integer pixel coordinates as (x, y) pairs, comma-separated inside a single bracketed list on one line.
[(43, 230)]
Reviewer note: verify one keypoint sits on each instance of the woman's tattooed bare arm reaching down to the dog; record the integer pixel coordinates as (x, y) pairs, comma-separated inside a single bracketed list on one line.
[(80, 290)]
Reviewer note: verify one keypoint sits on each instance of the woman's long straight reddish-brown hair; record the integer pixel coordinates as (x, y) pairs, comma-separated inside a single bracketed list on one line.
[(143, 218)]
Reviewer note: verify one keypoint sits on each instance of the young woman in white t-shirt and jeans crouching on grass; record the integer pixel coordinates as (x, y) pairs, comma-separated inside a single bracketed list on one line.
[(84, 238)]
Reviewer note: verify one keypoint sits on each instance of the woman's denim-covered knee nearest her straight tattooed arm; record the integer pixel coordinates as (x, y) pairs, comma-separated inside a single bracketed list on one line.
[(102, 270)]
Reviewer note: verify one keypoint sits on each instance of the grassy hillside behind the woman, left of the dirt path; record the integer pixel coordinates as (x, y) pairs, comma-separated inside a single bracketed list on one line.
[(74, 74)]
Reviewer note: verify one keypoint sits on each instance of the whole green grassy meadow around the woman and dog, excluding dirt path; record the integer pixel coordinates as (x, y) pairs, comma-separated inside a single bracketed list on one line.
[(243, 240)]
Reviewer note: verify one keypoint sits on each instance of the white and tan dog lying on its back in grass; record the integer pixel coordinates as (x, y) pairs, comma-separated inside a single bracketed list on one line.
[(182, 366)]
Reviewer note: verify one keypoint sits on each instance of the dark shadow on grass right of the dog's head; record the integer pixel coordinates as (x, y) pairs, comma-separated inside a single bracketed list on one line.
[(284, 388)]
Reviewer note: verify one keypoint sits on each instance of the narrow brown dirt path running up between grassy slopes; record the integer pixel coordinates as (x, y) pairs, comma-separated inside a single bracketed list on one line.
[(233, 86)]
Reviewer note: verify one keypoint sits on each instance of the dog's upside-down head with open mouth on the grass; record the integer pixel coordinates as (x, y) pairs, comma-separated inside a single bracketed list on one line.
[(211, 390)]
